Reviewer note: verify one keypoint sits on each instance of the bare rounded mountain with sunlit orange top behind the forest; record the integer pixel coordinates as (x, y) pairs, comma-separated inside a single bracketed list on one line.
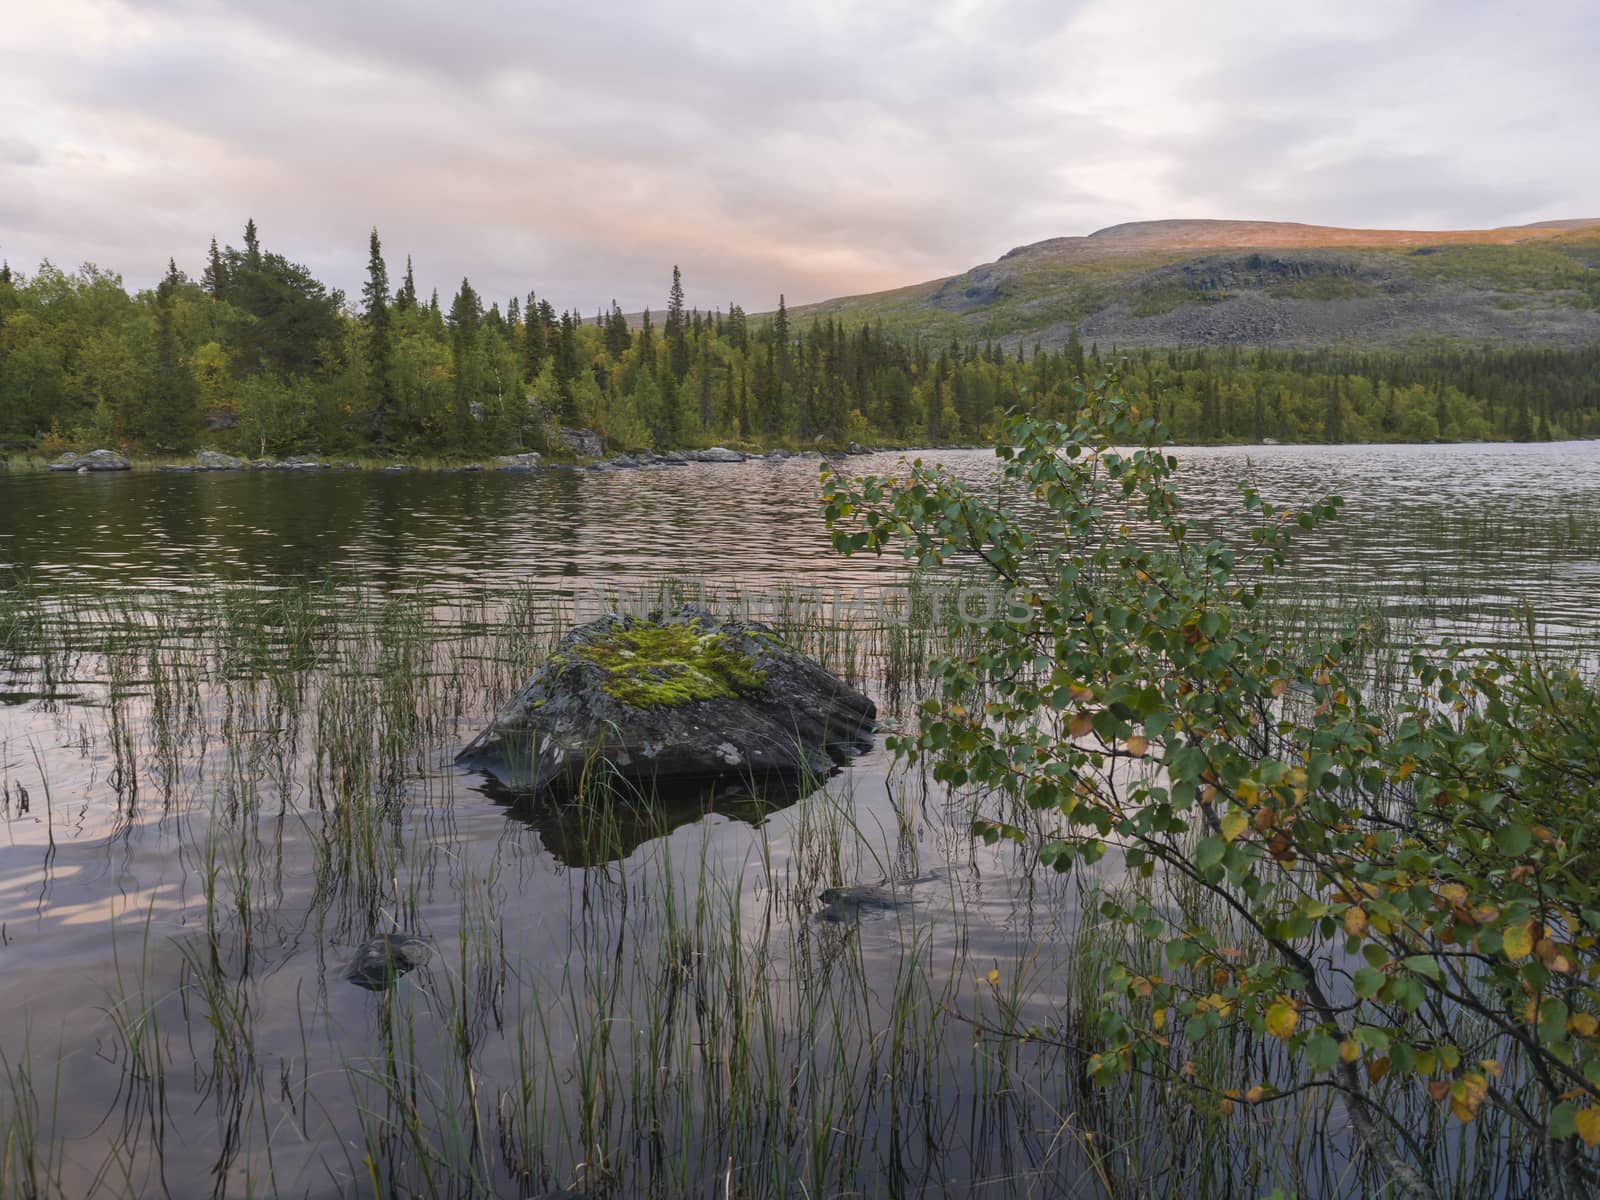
[(1265, 284)]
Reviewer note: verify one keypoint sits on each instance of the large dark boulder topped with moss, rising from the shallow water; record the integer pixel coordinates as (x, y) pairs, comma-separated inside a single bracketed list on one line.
[(673, 700)]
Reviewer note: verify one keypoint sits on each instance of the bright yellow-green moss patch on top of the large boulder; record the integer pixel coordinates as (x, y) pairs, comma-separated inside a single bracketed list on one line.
[(650, 666)]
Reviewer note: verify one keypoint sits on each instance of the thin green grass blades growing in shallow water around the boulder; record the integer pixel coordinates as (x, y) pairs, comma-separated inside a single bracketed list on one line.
[(692, 1020)]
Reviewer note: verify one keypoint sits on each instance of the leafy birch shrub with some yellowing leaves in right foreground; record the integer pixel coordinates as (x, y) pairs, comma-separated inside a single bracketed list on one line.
[(1394, 889)]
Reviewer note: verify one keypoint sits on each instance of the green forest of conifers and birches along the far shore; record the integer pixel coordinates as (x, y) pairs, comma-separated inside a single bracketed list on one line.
[(258, 358)]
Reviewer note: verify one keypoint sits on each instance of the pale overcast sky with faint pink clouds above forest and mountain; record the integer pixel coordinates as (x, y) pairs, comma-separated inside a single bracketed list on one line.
[(817, 150)]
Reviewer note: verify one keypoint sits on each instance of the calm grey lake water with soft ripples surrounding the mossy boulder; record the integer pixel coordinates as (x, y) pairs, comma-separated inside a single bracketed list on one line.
[(122, 830)]
